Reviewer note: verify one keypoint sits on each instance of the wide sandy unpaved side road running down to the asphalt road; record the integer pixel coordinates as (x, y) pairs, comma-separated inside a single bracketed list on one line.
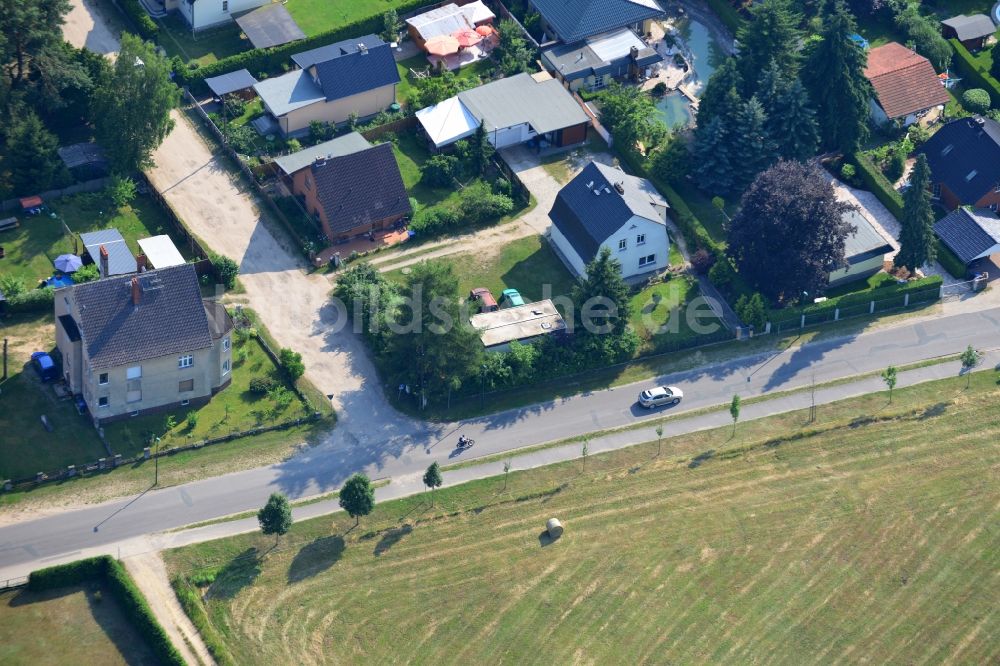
[(295, 306)]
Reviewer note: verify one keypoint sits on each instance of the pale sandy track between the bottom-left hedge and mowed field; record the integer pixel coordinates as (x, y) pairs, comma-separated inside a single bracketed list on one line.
[(150, 575)]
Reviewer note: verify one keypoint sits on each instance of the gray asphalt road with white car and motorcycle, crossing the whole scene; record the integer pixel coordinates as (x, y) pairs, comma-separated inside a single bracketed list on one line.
[(394, 451)]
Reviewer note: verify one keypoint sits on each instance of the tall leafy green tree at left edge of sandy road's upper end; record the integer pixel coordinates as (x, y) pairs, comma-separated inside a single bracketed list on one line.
[(132, 104)]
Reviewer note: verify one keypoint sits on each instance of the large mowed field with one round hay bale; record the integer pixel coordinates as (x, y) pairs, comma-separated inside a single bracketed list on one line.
[(869, 535)]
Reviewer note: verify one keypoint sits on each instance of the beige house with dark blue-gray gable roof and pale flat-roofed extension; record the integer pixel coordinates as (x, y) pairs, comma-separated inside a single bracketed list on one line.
[(355, 77)]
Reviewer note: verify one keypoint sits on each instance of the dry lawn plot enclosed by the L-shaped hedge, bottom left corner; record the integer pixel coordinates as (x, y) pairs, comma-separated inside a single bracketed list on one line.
[(61, 626)]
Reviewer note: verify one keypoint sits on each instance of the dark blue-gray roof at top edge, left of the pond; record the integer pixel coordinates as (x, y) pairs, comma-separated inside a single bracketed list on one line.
[(571, 21)]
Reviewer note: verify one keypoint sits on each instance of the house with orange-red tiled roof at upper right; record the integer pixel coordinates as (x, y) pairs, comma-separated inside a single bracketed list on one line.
[(906, 85)]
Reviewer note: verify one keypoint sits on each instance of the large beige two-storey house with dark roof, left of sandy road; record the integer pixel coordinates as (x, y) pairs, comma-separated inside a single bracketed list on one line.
[(144, 343)]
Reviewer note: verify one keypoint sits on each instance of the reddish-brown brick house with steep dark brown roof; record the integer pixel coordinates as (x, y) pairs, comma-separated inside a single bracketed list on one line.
[(355, 193)]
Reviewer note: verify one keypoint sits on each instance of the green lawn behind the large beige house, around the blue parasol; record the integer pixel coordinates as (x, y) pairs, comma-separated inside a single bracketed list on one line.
[(31, 248)]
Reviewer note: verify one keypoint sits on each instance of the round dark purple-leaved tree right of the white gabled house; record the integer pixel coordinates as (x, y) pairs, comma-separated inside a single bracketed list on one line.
[(790, 231)]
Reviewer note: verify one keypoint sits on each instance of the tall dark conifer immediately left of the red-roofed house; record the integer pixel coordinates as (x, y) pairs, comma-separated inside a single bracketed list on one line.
[(834, 74)]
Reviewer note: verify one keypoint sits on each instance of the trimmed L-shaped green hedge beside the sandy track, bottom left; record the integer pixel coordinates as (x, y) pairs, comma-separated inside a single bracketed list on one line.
[(133, 605)]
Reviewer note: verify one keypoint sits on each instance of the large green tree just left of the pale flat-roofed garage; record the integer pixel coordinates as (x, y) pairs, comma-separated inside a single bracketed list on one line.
[(434, 346)]
